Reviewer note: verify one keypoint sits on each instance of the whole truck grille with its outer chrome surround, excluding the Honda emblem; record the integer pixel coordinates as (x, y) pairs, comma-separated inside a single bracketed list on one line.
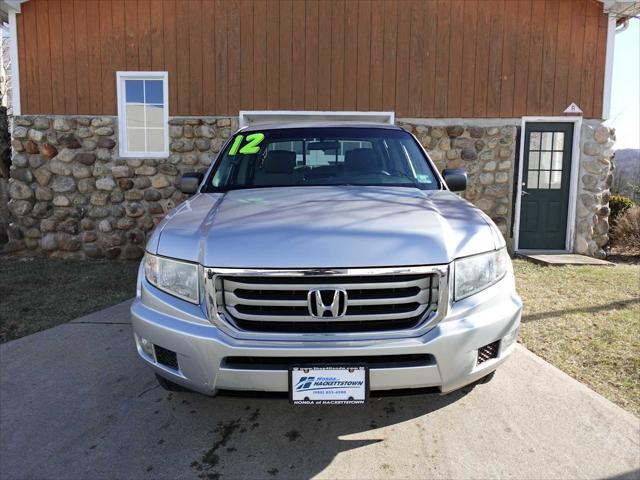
[(272, 304)]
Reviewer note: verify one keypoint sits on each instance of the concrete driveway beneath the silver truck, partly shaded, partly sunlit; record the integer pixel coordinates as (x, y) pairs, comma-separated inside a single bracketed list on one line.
[(75, 402)]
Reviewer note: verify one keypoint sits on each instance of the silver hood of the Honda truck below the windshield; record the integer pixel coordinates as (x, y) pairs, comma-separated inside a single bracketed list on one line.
[(324, 227)]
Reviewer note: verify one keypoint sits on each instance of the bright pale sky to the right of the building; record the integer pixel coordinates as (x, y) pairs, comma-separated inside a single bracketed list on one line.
[(625, 92)]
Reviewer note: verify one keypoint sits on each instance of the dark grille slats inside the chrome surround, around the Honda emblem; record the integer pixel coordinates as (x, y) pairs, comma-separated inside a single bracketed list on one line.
[(374, 302)]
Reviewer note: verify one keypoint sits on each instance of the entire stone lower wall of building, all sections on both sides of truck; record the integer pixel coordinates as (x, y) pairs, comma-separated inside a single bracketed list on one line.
[(73, 197)]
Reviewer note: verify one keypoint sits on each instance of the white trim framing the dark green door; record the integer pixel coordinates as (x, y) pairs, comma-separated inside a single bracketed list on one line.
[(573, 180)]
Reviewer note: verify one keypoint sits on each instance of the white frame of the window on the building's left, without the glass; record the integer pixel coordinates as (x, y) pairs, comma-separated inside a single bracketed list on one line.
[(121, 77)]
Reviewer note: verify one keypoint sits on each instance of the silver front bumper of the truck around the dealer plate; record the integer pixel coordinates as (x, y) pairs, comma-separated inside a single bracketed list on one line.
[(202, 348)]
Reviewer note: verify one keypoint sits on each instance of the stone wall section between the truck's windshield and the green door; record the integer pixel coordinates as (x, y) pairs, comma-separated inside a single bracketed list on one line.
[(486, 150)]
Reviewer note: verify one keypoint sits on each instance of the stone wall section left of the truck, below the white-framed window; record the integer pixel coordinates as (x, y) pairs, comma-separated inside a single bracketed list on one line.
[(73, 197)]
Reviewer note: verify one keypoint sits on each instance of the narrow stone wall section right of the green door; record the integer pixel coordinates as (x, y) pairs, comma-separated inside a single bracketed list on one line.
[(595, 180)]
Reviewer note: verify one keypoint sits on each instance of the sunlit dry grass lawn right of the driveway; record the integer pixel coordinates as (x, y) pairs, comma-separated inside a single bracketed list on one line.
[(585, 320)]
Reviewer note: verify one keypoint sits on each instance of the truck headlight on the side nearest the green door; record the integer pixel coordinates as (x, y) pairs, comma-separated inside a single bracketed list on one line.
[(473, 274)]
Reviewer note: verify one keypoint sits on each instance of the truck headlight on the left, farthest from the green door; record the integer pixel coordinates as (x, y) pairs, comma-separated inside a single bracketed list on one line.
[(172, 276)]
